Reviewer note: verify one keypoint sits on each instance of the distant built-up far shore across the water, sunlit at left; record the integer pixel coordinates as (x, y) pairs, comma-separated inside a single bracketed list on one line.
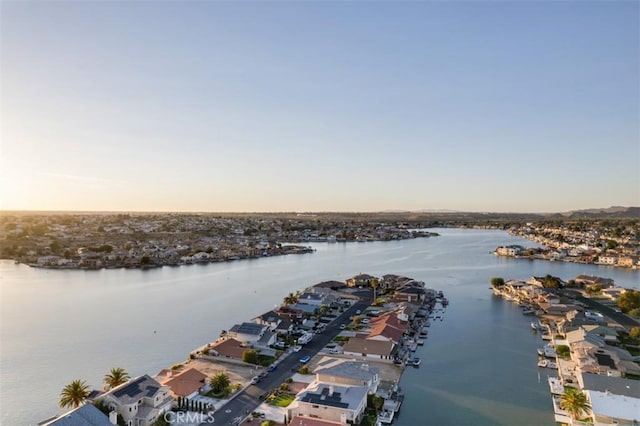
[(94, 241)]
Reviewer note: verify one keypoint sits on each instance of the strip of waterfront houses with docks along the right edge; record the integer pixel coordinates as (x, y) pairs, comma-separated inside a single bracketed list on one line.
[(591, 345)]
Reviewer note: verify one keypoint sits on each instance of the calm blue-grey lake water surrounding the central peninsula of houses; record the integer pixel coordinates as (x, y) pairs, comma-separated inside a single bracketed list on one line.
[(478, 364)]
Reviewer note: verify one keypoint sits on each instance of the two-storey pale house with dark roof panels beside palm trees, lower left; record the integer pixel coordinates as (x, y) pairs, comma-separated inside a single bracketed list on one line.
[(140, 401)]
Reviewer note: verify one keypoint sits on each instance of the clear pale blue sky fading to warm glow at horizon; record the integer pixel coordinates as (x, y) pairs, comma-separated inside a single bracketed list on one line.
[(503, 106)]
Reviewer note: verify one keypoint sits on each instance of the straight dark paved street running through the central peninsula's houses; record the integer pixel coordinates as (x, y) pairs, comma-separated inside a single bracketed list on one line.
[(247, 401)]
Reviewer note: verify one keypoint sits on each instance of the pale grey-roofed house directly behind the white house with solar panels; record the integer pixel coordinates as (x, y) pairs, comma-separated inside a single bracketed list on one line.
[(348, 373)]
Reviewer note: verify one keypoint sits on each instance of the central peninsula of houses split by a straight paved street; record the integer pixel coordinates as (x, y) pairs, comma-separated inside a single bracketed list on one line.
[(329, 355)]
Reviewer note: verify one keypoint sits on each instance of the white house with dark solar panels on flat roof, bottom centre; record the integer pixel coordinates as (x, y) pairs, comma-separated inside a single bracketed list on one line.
[(330, 402)]
